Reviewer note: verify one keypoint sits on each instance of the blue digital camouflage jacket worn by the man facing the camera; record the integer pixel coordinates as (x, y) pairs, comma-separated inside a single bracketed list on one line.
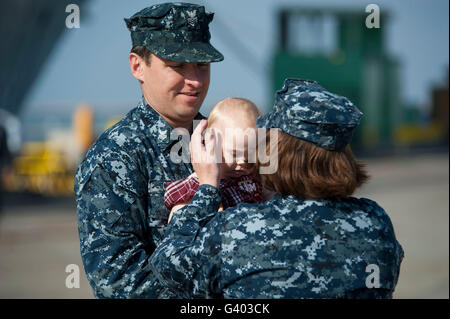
[(122, 217)]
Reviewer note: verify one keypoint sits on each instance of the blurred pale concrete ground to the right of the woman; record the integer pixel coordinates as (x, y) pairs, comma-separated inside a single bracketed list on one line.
[(414, 191)]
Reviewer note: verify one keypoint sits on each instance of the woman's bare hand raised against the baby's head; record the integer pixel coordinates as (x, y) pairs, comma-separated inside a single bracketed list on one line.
[(205, 158)]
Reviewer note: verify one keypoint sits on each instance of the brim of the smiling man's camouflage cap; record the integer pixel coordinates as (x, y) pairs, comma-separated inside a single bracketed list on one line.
[(197, 52)]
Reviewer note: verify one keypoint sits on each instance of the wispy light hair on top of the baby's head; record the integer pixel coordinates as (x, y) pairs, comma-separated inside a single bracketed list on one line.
[(234, 107)]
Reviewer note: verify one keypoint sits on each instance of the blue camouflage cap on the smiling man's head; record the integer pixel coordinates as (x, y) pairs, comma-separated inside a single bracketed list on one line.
[(174, 31)]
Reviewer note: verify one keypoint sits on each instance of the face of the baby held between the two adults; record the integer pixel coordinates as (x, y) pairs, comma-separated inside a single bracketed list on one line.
[(238, 147)]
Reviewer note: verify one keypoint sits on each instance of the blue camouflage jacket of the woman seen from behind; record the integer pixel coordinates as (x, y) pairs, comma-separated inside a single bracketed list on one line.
[(284, 248)]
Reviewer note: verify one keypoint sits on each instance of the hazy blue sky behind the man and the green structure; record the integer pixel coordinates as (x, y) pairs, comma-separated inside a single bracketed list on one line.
[(90, 64)]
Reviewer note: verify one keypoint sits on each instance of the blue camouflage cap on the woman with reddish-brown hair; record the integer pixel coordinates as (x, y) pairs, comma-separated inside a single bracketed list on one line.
[(306, 110)]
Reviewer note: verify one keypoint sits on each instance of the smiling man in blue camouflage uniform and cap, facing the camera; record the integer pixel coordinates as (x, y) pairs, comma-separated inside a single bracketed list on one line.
[(119, 186)]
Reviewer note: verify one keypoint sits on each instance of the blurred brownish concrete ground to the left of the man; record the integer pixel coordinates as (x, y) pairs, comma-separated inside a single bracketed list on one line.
[(38, 239)]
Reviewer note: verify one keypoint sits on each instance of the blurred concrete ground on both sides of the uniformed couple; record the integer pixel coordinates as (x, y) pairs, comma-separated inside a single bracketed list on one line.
[(38, 236)]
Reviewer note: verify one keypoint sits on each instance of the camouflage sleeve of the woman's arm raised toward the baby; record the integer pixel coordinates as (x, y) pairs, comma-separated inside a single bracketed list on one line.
[(187, 261)]
